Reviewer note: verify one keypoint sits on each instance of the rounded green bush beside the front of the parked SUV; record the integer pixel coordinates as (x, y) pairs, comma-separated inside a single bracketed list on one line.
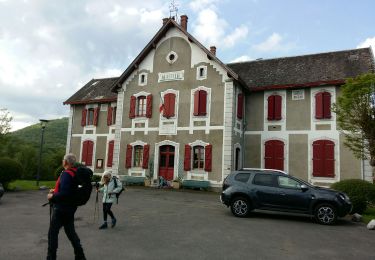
[(360, 192)]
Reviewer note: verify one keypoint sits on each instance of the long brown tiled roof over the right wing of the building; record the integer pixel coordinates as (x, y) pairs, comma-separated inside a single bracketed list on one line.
[(304, 71)]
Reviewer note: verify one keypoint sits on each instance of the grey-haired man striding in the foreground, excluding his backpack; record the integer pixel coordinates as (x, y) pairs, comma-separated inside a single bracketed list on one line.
[(63, 210)]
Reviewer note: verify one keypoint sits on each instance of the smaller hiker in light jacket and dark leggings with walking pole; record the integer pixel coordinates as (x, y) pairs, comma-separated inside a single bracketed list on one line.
[(111, 186)]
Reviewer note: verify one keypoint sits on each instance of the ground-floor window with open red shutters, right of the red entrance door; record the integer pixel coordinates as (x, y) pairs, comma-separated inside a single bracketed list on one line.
[(202, 158)]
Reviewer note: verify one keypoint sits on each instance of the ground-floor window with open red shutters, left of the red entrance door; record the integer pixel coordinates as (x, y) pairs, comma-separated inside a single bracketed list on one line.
[(137, 156)]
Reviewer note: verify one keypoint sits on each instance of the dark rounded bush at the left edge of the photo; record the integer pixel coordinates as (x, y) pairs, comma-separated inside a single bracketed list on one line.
[(10, 170)]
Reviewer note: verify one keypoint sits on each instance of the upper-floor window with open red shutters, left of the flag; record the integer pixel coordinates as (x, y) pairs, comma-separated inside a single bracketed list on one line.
[(140, 106)]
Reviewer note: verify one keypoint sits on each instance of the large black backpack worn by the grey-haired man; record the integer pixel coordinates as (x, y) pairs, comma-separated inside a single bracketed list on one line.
[(82, 185)]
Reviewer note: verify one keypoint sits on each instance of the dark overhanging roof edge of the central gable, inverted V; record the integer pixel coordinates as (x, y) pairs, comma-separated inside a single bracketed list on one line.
[(152, 44)]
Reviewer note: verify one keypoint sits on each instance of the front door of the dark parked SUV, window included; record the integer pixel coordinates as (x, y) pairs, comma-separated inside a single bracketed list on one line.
[(290, 195)]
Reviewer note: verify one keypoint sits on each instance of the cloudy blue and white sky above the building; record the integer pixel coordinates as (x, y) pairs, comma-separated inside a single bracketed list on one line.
[(51, 48)]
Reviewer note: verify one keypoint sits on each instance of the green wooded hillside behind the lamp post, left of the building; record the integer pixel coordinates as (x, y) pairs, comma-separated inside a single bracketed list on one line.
[(55, 134)]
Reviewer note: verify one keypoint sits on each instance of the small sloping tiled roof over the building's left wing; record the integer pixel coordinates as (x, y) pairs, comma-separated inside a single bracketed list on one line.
[(95, 91)]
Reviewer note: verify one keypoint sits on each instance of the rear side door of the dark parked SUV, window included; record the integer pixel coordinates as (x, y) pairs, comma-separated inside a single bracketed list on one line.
[(265, 191)]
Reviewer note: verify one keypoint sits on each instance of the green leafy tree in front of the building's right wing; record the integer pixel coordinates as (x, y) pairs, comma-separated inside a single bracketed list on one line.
[(355, 109)]
